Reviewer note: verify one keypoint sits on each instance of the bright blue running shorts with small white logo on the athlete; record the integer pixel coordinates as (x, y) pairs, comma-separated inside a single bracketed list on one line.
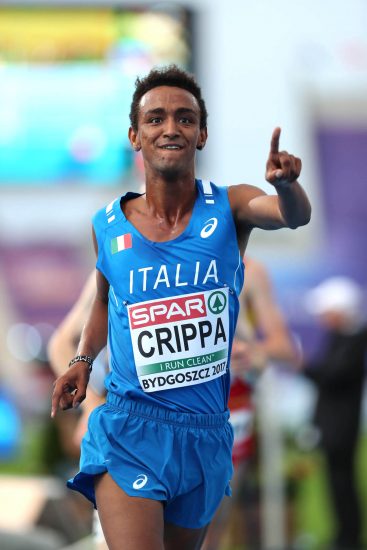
[(181, 459)]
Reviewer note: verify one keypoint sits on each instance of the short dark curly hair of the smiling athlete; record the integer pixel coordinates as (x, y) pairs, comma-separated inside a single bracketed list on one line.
[(166, 76)]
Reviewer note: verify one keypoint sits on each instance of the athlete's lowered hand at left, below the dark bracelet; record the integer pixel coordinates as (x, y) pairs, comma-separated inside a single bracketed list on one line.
[(70, 388)]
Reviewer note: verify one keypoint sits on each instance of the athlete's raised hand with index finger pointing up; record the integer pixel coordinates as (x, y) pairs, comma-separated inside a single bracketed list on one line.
[(281, 167)]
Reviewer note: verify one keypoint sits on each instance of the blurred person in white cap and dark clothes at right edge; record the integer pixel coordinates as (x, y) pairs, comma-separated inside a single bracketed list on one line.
[(338, 371)]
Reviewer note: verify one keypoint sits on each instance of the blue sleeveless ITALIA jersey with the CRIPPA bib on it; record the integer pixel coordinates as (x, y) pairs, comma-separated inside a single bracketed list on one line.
[(173, 305)]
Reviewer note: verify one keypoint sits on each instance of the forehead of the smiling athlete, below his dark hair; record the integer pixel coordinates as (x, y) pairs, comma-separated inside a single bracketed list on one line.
[(168, 97)]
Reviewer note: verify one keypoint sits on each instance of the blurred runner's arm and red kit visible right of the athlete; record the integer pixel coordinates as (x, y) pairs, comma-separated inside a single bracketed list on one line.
[(262, 337)]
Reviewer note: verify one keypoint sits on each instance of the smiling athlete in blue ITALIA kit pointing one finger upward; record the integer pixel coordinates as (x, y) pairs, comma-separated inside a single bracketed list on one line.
[(156, 460)]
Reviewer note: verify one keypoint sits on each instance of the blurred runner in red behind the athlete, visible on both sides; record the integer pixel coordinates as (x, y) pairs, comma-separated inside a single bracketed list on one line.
[(261, 336)]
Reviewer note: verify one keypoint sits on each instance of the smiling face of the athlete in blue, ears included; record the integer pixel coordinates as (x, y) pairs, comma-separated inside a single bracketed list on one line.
[(168, 132)]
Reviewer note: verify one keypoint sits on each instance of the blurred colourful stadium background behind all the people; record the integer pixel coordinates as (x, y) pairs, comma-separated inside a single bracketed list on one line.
[(67, 72)]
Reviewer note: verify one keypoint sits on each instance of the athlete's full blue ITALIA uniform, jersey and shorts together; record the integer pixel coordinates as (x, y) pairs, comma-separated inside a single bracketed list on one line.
[(173, 309)]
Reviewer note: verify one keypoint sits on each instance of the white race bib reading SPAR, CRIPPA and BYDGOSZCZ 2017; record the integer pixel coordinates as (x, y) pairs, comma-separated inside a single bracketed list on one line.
[(180, 341)]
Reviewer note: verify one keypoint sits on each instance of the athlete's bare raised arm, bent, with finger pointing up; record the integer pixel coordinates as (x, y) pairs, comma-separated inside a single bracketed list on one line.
[(290, 207)]
